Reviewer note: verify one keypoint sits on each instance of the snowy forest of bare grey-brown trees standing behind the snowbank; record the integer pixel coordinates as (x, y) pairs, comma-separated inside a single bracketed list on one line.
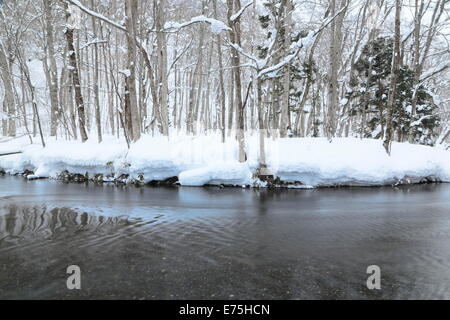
[(250, 71)]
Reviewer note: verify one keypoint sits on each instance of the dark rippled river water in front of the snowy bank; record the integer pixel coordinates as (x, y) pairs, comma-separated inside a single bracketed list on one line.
[(212, 243)]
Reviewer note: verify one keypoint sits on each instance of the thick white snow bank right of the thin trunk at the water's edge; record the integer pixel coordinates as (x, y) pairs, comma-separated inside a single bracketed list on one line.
[(350, 161)]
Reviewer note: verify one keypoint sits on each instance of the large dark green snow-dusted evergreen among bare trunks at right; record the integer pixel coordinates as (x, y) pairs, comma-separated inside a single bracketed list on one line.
[(369, 94)]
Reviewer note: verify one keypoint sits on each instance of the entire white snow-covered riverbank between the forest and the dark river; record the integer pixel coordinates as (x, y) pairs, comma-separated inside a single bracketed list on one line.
[(313, 162)]
